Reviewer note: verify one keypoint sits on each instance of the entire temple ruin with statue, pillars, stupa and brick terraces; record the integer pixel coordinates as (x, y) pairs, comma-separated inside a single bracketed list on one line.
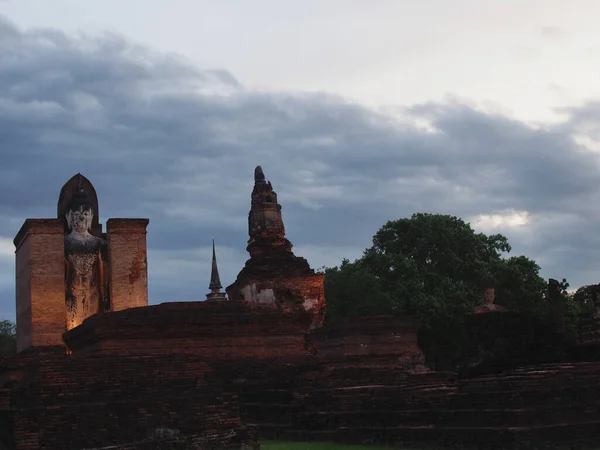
[(227, 372)]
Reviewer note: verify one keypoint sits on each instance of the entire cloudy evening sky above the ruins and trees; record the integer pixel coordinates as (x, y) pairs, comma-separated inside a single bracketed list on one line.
[(359, 111)]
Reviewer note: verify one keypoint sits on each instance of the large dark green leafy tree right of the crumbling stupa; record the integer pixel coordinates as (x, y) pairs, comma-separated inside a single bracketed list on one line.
[(434, 267)]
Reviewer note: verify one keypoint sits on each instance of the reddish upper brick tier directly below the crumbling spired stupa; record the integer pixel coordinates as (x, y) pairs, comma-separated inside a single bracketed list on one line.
[(218, 329)]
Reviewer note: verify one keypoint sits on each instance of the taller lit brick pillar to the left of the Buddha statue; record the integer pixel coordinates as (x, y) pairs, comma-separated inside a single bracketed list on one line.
[(40, 283)]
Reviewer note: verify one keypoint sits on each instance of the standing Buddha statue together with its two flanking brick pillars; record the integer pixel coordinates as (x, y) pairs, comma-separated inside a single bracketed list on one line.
[(59, 276)]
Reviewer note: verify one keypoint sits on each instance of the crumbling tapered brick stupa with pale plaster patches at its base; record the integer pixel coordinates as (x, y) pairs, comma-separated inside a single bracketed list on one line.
[(274, 275)]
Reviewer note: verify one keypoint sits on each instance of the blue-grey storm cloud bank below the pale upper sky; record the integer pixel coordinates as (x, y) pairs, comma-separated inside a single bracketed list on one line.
[(163, 139)]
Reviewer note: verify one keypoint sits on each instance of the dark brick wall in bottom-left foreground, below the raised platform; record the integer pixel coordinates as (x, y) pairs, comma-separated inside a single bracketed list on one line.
[(72, 402)]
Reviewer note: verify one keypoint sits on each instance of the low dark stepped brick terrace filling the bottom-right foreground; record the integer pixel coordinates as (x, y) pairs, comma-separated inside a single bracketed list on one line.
[(534, 408)]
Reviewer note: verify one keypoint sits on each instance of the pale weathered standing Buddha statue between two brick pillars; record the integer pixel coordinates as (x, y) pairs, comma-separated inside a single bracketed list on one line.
[(86, 282)]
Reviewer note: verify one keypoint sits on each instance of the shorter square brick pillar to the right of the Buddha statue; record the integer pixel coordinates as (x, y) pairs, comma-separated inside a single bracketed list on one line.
[(128, 265)]
